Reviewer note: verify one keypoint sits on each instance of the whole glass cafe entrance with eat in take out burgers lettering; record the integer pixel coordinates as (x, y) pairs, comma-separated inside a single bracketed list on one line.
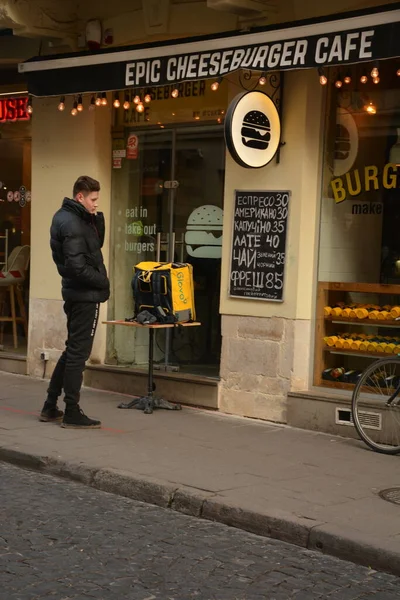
[(170, 208)]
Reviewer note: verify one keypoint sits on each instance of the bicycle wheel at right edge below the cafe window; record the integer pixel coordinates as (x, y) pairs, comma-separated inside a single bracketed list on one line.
[(376, 406)]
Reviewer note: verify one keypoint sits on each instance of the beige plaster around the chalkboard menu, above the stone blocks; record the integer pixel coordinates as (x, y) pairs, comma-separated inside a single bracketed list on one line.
[(298, 171)]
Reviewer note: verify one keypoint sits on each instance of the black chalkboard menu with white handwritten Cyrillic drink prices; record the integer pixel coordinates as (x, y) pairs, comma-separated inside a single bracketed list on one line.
[(259, 245)]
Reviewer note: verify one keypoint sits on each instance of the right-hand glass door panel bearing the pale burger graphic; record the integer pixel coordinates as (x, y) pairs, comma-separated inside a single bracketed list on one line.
[(197, 221)]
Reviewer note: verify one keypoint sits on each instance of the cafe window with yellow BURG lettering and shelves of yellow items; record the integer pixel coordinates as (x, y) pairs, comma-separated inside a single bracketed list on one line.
[(358, 294)]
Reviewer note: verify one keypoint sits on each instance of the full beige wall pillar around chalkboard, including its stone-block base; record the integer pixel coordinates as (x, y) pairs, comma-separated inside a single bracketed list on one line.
[(267, 346)]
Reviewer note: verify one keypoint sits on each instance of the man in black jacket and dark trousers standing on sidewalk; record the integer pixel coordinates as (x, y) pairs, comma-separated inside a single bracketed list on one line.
[(77, 236)]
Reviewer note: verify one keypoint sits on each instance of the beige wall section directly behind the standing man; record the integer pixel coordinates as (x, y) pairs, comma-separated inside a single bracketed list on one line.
[(63, 148)]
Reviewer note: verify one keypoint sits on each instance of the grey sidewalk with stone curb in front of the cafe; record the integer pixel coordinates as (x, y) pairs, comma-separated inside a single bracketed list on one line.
[(310, 489)]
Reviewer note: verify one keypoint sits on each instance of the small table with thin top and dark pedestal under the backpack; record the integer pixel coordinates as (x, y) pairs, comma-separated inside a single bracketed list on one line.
[(149, 402)]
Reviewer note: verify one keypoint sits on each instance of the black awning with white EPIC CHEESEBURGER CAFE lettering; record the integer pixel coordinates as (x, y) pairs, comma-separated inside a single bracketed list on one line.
[(341, 39)]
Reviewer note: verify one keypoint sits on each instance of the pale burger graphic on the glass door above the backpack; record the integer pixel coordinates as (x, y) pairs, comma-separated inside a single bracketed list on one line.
[(203, 236)]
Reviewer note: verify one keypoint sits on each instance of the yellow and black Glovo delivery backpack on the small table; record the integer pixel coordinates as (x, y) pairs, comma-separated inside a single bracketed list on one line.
[(165, 290)]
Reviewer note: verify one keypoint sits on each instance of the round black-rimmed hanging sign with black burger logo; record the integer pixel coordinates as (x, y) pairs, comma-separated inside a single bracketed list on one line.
[(252, 129)]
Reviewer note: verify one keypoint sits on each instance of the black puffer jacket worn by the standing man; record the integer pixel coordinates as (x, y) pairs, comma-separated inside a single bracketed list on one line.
[(76, 241)]
